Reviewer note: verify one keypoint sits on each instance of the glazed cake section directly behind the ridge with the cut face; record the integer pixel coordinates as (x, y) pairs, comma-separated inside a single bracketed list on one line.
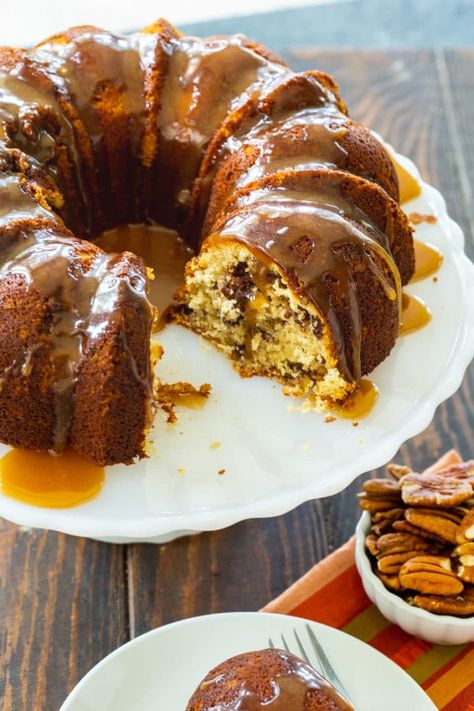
[(300, 122)]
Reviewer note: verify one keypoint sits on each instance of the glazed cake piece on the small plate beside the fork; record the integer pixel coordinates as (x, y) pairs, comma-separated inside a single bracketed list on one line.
[(268, 679)]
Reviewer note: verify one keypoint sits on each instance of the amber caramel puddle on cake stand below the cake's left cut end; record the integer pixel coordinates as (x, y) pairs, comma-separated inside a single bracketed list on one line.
[(51, 481)]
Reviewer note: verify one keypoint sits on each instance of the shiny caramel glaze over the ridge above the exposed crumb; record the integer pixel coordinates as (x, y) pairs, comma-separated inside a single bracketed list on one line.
[(320, 240)]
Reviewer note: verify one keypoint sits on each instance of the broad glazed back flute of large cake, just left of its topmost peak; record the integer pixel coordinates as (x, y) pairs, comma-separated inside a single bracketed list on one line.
[(99, 69)]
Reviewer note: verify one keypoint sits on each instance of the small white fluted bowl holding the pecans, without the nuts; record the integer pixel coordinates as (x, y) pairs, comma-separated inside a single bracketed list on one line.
[(437, 629)]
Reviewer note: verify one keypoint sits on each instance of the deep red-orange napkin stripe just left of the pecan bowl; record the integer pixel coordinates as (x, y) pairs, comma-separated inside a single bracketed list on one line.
[(330, 607)]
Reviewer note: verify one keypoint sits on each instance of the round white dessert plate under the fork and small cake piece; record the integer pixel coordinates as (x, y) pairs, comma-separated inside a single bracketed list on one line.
[(161, 669)]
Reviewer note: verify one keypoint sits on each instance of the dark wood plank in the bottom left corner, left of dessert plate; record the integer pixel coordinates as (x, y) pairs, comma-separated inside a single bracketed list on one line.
[(63, 607)]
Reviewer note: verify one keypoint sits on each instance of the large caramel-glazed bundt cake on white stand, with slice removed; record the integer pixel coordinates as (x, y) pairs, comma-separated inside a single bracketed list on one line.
[(290, 207)]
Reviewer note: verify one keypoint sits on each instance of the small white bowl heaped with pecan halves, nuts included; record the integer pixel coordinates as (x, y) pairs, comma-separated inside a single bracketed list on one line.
[(415, 549)]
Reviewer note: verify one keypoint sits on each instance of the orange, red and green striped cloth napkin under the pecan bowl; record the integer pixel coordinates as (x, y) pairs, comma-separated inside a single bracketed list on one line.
[(332, 593)]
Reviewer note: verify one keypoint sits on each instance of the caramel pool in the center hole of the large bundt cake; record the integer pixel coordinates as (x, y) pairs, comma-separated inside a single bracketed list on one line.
[(161, 250)]
